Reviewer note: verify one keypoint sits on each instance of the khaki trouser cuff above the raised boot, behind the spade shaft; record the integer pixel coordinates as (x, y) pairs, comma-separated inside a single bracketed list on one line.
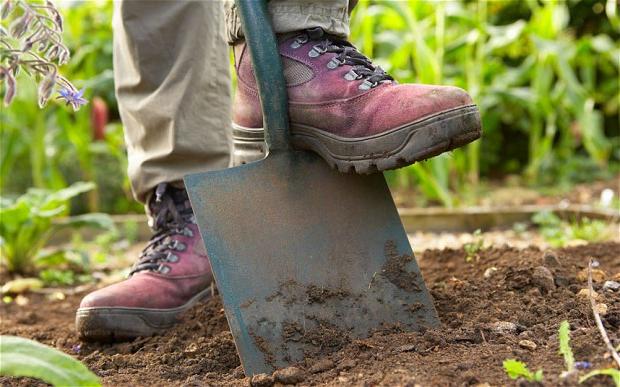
[(295, 15)]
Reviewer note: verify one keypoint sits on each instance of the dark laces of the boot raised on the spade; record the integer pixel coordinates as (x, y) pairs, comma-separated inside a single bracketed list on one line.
[(347, 54)]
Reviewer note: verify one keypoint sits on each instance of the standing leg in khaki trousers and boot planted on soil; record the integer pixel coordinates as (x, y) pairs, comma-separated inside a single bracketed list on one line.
[(172, 81)]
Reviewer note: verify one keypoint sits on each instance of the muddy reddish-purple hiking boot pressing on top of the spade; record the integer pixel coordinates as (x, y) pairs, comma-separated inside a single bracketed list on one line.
[(353, 113)]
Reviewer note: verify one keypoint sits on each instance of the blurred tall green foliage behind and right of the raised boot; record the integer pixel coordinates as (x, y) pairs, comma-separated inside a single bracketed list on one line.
[(543, 73)]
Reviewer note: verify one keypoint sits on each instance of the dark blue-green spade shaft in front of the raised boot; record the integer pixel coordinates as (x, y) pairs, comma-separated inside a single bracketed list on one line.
[(261, 42)]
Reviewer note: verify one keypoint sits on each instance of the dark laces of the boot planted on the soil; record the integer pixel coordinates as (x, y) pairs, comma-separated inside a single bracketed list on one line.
[(172, 215)]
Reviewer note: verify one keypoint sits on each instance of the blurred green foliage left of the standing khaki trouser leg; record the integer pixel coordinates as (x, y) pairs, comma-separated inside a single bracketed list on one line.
[(49, 148)]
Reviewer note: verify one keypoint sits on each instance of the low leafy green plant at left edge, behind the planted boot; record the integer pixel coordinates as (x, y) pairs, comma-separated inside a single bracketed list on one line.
[(27, 223)]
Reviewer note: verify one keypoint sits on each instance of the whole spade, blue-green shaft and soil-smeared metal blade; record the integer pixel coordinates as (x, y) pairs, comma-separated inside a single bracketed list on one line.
[(304, 257)]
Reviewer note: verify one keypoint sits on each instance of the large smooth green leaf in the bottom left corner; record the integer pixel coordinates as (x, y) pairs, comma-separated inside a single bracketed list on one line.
[(23, 357)]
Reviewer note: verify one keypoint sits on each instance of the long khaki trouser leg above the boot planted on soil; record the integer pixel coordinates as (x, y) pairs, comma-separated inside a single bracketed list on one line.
[(171, 69)]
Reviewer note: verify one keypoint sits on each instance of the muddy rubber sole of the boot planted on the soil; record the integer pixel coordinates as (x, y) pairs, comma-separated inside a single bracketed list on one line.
[(117, 324)]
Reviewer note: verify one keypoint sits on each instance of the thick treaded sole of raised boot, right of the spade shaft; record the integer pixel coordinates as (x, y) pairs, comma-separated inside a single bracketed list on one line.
[(395, 148)]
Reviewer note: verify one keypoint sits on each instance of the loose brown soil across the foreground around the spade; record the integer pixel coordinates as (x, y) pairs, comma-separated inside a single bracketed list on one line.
[(488, 315)]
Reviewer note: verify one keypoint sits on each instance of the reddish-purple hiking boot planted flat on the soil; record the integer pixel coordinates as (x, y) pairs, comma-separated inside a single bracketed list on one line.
[(172, 274)]
